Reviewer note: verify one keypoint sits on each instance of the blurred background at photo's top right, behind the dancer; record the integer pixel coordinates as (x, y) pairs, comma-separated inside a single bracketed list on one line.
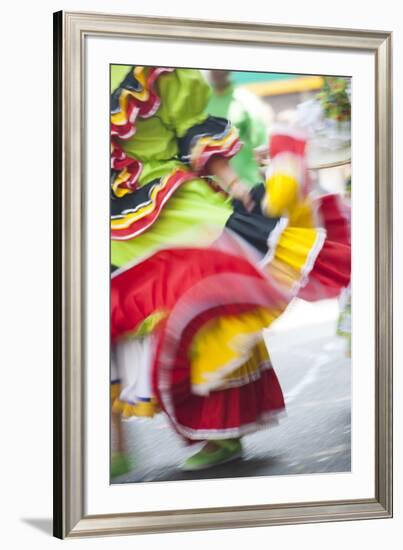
[(256, 102)]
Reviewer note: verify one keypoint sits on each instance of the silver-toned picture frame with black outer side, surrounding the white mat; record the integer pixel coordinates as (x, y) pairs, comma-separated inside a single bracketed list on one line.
[(70, 520)]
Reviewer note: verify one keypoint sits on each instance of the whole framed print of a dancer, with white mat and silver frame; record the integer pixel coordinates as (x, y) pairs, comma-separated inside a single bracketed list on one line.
[(223, 275)]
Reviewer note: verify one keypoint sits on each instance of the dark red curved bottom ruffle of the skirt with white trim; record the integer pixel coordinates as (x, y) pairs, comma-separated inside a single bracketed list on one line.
[(221, 409)]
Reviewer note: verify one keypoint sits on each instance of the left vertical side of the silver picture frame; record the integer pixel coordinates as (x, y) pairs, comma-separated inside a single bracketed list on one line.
[(72, 251)]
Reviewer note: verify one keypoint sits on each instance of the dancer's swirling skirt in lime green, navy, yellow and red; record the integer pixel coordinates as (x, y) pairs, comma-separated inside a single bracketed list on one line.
[(189, 302)]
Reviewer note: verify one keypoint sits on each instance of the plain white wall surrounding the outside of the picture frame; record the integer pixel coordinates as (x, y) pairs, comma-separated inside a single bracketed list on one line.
[(26, 478)]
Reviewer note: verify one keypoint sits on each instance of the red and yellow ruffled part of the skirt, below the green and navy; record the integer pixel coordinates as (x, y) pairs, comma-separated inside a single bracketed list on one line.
[(211, 372)]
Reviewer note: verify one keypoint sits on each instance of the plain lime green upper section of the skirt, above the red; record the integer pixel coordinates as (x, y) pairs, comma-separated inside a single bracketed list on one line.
[(194, 214)]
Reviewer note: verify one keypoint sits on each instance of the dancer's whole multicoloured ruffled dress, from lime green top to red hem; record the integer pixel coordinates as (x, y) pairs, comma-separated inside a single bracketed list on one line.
[(197, 276)]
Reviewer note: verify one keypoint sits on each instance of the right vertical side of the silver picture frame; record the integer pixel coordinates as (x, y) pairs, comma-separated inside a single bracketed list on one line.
[(384, 274)]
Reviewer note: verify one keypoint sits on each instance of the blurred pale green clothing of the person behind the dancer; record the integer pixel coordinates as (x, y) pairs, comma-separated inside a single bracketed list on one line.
[(242, 109)]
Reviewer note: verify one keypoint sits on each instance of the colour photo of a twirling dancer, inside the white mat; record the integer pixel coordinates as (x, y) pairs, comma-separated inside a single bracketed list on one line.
[(230, 256)]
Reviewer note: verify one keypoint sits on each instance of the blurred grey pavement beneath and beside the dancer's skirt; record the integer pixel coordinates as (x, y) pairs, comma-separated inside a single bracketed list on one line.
[(314, 436)]
